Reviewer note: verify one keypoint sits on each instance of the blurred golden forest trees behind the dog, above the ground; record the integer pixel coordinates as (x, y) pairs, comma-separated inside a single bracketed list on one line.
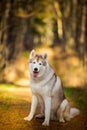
[(58, 27)]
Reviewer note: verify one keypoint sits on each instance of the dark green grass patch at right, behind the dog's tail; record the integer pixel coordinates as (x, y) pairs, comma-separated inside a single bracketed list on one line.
[(79, 96)]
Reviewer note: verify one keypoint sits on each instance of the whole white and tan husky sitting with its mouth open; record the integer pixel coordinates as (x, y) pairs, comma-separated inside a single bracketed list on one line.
[(47, 90)]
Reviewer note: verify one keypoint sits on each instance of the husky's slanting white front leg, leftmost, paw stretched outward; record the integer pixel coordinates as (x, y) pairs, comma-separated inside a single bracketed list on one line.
[(33, 108)]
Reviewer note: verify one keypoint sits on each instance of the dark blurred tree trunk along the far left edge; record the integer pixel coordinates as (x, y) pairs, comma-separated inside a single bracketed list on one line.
[(3, 36)]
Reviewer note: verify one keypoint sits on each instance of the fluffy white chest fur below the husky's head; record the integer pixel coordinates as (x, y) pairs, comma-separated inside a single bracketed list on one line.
[(43, 86)]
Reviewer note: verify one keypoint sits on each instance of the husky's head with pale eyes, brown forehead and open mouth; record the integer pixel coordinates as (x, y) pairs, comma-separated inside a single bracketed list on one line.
[(37, 64)]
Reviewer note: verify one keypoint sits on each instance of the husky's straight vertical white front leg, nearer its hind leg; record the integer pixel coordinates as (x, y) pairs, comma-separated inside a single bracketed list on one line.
[(47, 102)]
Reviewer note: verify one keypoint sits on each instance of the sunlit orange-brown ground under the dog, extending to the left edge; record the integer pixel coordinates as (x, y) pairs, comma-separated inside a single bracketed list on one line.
[(15, 105)]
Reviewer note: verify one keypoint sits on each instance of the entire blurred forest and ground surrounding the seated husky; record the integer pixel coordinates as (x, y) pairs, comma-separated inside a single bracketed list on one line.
[(57, 27)]
